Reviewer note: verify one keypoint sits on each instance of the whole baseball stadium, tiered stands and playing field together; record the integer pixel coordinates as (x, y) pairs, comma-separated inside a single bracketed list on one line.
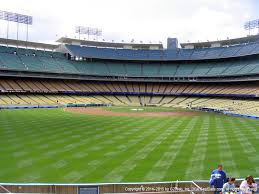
[(87, 116)]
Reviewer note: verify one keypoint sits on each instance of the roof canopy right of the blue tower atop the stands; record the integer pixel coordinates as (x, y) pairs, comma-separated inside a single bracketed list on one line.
[(221, 43)]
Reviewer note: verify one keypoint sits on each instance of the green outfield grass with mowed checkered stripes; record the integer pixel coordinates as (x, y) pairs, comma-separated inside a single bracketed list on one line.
[(50, 145)]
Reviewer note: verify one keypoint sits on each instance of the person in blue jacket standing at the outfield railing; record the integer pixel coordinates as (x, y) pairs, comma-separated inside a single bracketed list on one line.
[(218, 179)]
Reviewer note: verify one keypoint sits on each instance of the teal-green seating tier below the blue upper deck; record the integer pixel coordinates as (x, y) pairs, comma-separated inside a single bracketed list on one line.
[(53, 62)]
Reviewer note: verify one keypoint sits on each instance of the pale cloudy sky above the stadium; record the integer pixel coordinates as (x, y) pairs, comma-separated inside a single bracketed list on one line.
[(141, 20)]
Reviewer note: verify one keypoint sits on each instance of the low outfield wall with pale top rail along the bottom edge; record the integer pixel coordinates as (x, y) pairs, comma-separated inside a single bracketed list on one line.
[(189, 187)]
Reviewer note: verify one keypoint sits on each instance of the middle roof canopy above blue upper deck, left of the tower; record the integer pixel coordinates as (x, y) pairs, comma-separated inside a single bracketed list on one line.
[(73, 41)]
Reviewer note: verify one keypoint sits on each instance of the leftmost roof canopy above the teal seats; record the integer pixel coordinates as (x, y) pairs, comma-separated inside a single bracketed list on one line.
[(22, 43)]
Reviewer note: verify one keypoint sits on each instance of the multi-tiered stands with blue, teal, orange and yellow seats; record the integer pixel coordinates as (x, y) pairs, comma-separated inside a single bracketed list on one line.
[(218, 76)]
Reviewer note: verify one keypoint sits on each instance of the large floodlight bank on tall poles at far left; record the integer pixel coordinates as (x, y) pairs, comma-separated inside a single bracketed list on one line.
[(17, 18)]
